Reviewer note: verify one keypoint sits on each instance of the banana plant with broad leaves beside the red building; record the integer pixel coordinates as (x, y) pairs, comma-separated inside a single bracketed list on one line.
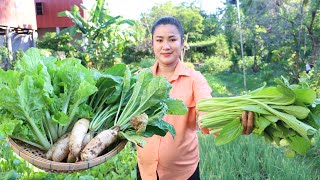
[(103, 37)]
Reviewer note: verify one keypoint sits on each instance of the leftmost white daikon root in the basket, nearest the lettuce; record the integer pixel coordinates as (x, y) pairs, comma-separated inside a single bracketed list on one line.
[(61, 150)]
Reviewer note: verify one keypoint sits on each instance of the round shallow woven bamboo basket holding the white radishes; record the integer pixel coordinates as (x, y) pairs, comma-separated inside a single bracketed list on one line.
[(37, 157)]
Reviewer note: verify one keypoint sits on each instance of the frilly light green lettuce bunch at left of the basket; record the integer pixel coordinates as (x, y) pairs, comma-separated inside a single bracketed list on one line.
[(42, 98)]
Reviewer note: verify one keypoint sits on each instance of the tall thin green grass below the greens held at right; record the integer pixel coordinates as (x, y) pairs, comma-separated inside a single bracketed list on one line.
[(249, 157)]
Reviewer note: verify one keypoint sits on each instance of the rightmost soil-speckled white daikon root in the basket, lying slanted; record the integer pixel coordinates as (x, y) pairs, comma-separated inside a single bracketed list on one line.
[(99, 143)]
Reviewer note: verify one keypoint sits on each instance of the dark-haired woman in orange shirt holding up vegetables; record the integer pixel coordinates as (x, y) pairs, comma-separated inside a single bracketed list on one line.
[(168, 158)]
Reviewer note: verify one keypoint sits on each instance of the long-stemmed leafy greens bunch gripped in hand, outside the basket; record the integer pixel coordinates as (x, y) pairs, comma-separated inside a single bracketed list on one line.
[(287, 115)]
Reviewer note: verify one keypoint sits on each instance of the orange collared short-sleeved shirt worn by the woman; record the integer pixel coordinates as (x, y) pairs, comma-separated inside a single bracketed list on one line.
[(178, 157)]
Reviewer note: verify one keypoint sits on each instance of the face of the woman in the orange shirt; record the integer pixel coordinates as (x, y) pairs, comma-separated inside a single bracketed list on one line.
[(167, 44)]
